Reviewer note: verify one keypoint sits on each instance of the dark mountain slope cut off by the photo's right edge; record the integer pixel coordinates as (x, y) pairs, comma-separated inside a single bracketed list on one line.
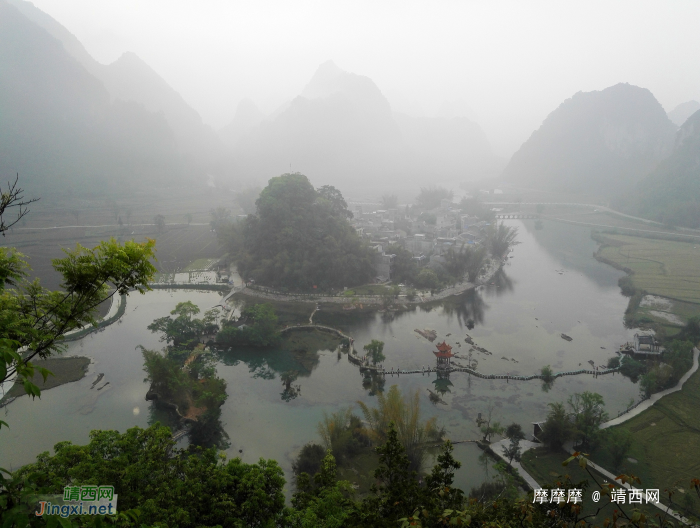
[(671, 193)]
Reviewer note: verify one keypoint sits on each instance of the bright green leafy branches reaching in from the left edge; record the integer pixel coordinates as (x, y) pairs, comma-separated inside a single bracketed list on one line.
[(32, 316)]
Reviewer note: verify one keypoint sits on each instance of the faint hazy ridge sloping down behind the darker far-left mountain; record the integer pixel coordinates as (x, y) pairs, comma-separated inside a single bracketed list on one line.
[(130, 79)]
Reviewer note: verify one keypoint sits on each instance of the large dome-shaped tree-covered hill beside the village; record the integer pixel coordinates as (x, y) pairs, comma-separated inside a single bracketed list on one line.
[(300, 238)]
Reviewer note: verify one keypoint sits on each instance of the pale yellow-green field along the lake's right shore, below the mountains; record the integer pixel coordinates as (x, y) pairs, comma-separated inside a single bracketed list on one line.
[(660, 267)]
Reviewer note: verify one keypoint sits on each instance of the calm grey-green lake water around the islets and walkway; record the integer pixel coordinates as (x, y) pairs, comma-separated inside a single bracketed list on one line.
[(552, 285)]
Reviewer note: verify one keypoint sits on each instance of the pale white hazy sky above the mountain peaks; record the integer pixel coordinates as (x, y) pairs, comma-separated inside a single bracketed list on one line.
[(511, 62)]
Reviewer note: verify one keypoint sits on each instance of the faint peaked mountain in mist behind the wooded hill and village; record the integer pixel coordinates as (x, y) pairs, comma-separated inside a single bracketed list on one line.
[(341, 129)]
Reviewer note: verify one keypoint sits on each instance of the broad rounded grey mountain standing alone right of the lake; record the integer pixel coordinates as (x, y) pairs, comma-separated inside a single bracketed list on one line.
[(597, 142)]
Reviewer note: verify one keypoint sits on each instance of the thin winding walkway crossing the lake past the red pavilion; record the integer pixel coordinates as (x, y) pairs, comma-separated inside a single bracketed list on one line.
[(366, 367)]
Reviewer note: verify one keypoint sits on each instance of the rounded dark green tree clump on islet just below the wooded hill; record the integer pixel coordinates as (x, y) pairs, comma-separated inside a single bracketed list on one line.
[(260, 328)]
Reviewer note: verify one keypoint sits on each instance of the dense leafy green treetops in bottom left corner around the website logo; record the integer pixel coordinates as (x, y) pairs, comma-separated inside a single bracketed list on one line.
[(168, 486)]
